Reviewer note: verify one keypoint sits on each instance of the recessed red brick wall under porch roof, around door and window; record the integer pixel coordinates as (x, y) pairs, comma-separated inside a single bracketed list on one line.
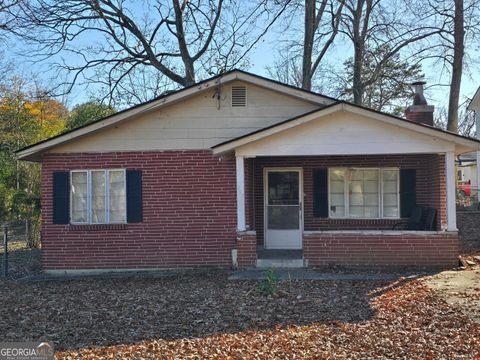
[(430, 186)]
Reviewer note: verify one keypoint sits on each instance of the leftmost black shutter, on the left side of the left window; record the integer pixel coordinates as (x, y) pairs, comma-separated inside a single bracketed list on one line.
[(61, 197)]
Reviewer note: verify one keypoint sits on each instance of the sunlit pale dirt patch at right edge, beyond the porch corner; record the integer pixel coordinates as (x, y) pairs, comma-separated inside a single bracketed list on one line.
[(460, 289)]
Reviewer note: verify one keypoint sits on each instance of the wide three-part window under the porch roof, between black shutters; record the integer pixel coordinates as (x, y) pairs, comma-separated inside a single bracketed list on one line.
[(364, 193)]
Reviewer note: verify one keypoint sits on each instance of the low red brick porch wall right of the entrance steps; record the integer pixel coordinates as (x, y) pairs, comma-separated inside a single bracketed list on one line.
[(432, 250)]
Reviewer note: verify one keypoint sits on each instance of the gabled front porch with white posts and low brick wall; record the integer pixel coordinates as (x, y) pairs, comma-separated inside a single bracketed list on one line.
[(336, 187)]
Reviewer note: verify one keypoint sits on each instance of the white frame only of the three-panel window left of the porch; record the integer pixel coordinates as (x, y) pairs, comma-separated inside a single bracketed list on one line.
[(89, 196)]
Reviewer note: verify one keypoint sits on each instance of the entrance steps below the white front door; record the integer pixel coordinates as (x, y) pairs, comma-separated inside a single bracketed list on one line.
[(267, 259)]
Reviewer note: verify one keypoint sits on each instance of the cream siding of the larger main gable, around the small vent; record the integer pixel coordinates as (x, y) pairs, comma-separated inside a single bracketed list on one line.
[(196, 123)]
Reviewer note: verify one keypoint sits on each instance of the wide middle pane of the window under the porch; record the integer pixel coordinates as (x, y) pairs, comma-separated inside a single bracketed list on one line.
[(364, 193)]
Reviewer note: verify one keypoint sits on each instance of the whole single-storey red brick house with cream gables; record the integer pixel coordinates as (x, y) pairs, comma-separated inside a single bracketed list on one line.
[(214, 174)]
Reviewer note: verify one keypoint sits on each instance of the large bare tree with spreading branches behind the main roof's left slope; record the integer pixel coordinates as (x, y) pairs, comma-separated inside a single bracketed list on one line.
[(116, 37)]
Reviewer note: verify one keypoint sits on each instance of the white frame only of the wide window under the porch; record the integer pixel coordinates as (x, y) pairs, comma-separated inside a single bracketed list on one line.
[(346, 192)]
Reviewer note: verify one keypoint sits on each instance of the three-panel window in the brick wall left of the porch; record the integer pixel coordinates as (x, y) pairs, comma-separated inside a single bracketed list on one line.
[(98, 196)]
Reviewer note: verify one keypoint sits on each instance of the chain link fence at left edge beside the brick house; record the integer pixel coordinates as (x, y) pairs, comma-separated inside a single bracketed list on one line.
[(21, 239)]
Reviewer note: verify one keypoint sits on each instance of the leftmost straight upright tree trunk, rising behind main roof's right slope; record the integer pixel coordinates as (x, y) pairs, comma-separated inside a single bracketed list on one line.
[(308, 44)]
